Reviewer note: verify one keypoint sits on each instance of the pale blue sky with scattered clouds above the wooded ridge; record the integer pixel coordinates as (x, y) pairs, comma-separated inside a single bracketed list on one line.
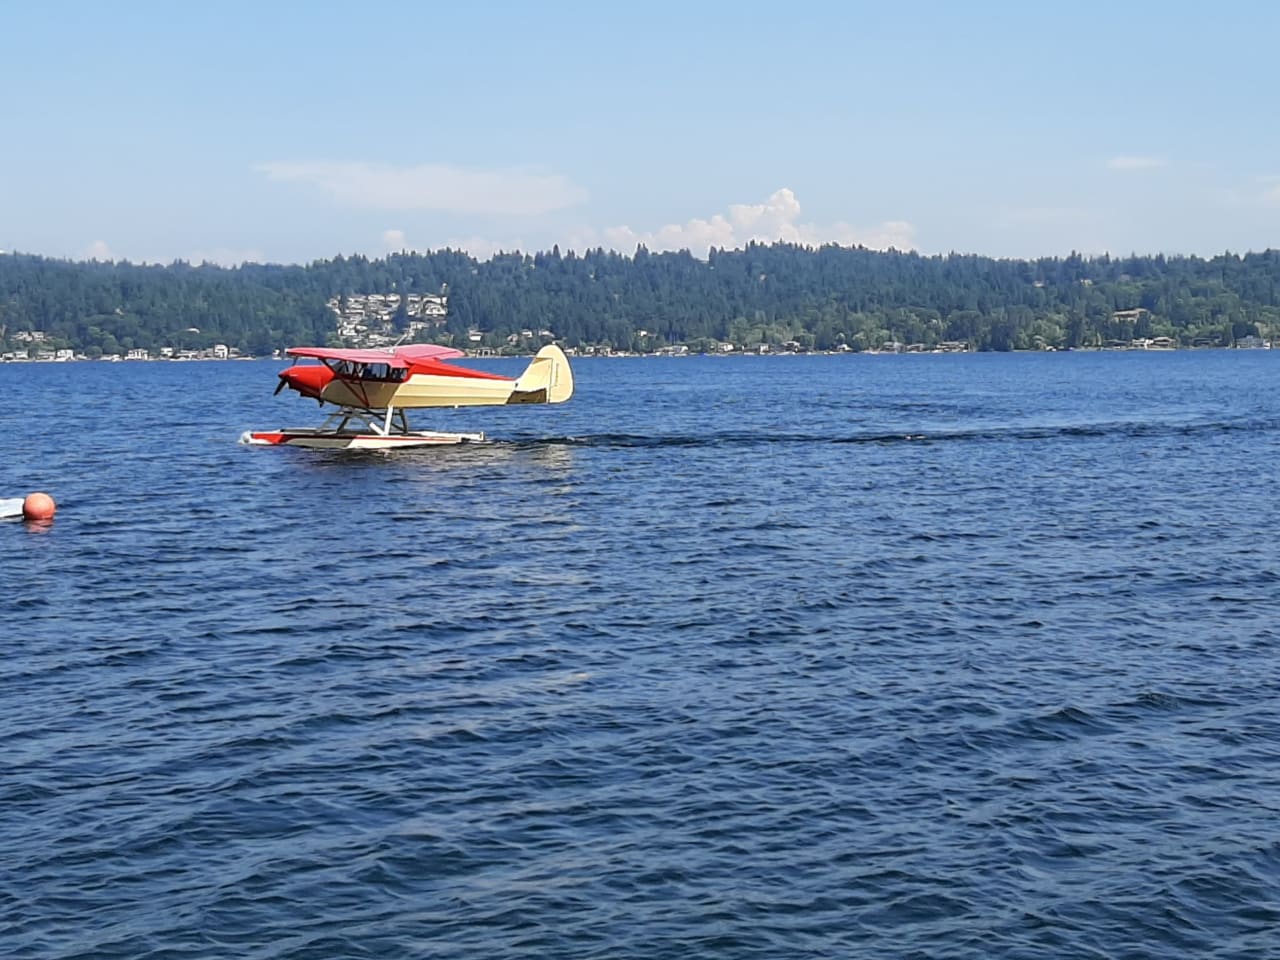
[(289, 132)]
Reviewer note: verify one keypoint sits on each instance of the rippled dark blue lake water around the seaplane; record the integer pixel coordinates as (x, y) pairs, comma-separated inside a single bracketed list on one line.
[(801, 657)]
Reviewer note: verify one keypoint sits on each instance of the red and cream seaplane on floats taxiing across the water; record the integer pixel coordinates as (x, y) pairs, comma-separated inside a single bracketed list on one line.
[(373, 390)]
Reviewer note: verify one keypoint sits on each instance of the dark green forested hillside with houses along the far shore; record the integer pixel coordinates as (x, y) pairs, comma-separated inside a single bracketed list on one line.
[(820, 299)]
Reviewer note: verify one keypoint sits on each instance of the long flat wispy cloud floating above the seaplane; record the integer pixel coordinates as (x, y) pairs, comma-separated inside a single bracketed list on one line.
[(433, 188)]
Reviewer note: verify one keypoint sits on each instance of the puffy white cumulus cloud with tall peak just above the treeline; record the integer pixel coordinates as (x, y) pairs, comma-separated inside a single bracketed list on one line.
[(776, 220)]
